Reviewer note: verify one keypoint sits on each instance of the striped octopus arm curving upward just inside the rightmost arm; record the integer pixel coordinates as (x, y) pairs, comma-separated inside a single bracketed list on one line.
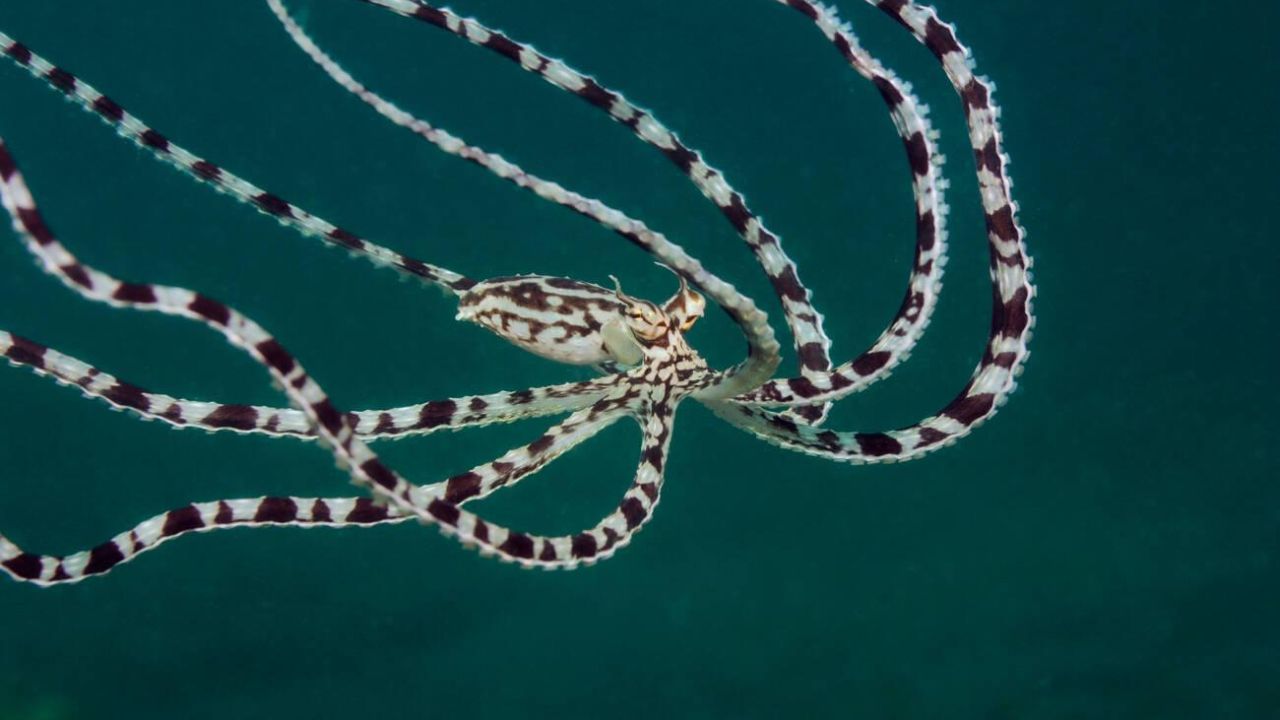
[(894, 347)]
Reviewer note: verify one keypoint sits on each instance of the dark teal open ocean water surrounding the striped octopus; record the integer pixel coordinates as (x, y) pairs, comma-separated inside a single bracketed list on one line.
[(1108, 546)]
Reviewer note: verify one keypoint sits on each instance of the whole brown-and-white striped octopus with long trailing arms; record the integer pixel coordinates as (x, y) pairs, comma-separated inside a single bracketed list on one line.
[(641, 349)]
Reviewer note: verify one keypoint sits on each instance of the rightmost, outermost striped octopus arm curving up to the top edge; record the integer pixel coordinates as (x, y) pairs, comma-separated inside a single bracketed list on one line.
[(1013, 291)]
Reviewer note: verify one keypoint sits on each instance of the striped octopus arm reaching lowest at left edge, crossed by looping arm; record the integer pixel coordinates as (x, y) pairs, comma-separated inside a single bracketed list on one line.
[(294, 512)]
